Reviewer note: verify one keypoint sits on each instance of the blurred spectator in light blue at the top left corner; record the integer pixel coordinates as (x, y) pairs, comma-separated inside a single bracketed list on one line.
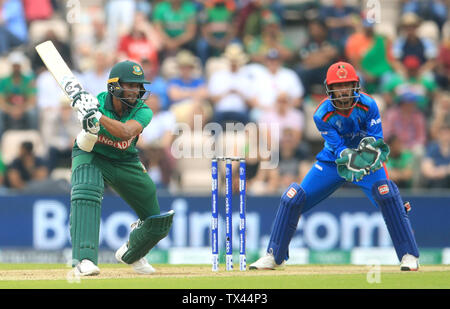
[(13, 28)]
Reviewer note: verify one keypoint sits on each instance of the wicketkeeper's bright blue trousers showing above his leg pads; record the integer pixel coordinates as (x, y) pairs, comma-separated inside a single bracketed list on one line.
[(322, 180)]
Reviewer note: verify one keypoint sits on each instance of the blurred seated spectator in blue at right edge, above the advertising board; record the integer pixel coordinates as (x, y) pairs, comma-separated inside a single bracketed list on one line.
[(436, 163)]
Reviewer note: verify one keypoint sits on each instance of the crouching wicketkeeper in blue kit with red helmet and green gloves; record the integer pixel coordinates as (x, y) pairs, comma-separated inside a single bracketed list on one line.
[(354, 151)]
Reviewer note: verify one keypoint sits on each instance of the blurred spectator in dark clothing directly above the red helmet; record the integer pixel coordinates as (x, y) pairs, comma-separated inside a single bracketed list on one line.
[(340, 21)]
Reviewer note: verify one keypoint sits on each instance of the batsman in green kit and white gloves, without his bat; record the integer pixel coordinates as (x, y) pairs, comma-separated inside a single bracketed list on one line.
[(116, 118)]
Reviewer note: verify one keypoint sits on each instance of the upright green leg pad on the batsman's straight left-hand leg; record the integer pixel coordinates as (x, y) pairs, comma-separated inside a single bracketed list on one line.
[(85, 210)]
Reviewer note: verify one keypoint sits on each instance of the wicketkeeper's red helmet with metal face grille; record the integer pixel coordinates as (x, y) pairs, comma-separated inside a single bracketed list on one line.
[(342, 72)]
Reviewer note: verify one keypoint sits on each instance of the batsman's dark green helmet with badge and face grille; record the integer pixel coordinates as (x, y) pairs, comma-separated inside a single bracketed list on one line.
[(127, 72)]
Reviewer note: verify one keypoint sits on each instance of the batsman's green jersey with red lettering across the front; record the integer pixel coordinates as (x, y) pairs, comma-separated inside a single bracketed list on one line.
[(113, 147)]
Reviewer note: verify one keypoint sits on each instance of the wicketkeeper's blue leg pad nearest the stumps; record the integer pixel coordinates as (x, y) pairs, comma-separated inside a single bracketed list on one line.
[(286, 221)]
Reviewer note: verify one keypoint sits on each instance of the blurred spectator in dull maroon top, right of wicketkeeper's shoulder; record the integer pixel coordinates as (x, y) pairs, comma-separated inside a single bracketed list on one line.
[(407, 123)]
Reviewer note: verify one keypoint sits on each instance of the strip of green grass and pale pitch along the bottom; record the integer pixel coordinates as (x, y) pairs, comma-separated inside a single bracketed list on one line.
[(115, 276)]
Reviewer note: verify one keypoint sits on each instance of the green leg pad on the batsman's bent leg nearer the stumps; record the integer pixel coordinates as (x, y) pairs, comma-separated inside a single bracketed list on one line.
[(146, 235)]
